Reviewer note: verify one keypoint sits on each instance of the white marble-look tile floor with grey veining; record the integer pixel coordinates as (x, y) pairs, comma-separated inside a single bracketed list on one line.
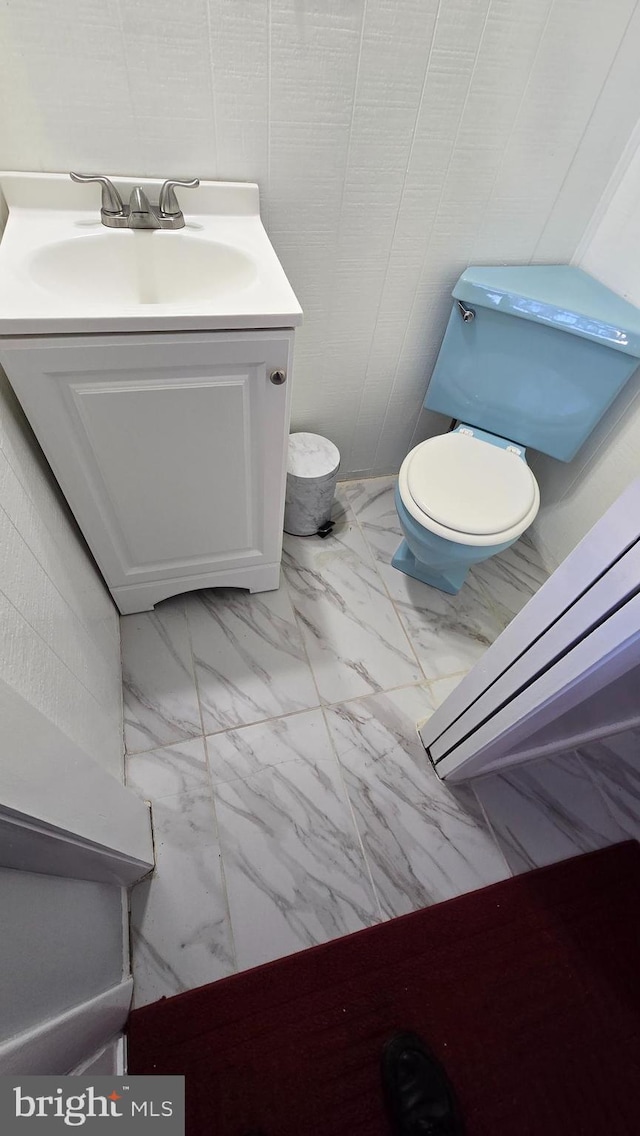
[(276, 737)]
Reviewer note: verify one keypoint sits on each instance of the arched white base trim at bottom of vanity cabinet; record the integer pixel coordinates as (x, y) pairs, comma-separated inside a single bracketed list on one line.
[(132, 598)]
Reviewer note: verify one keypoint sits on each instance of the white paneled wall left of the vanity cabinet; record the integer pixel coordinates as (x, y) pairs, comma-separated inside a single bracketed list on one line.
[(60, 637)]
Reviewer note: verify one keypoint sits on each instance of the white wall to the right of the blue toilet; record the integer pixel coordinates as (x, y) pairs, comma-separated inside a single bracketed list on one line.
[(576, 496)]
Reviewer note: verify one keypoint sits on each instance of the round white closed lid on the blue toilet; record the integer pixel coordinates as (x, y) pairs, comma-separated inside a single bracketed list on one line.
[(470, 486)]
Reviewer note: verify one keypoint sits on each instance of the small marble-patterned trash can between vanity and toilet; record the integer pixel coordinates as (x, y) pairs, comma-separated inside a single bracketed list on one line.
[(312, 472)]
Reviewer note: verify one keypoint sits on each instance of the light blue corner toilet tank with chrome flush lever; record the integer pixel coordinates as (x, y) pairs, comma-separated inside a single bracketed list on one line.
[(545, 354)]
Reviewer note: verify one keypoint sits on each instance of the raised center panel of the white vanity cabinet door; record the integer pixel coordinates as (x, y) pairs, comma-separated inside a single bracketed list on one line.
[(180, 491)]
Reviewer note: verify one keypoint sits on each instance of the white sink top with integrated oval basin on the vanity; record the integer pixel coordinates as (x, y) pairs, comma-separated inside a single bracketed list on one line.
[(63, 271)]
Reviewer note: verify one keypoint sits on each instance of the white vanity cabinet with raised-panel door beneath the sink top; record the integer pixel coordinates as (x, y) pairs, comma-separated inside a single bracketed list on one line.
[(171, 450)]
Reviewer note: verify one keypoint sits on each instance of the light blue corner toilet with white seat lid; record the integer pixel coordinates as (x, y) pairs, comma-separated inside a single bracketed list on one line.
[(531, 360)]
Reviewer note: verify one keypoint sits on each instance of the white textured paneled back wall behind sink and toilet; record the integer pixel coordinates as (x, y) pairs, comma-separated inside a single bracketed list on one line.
[(395, 141)]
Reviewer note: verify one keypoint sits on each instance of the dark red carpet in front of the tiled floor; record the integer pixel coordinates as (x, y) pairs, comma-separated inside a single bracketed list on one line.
[(529, 991)]
